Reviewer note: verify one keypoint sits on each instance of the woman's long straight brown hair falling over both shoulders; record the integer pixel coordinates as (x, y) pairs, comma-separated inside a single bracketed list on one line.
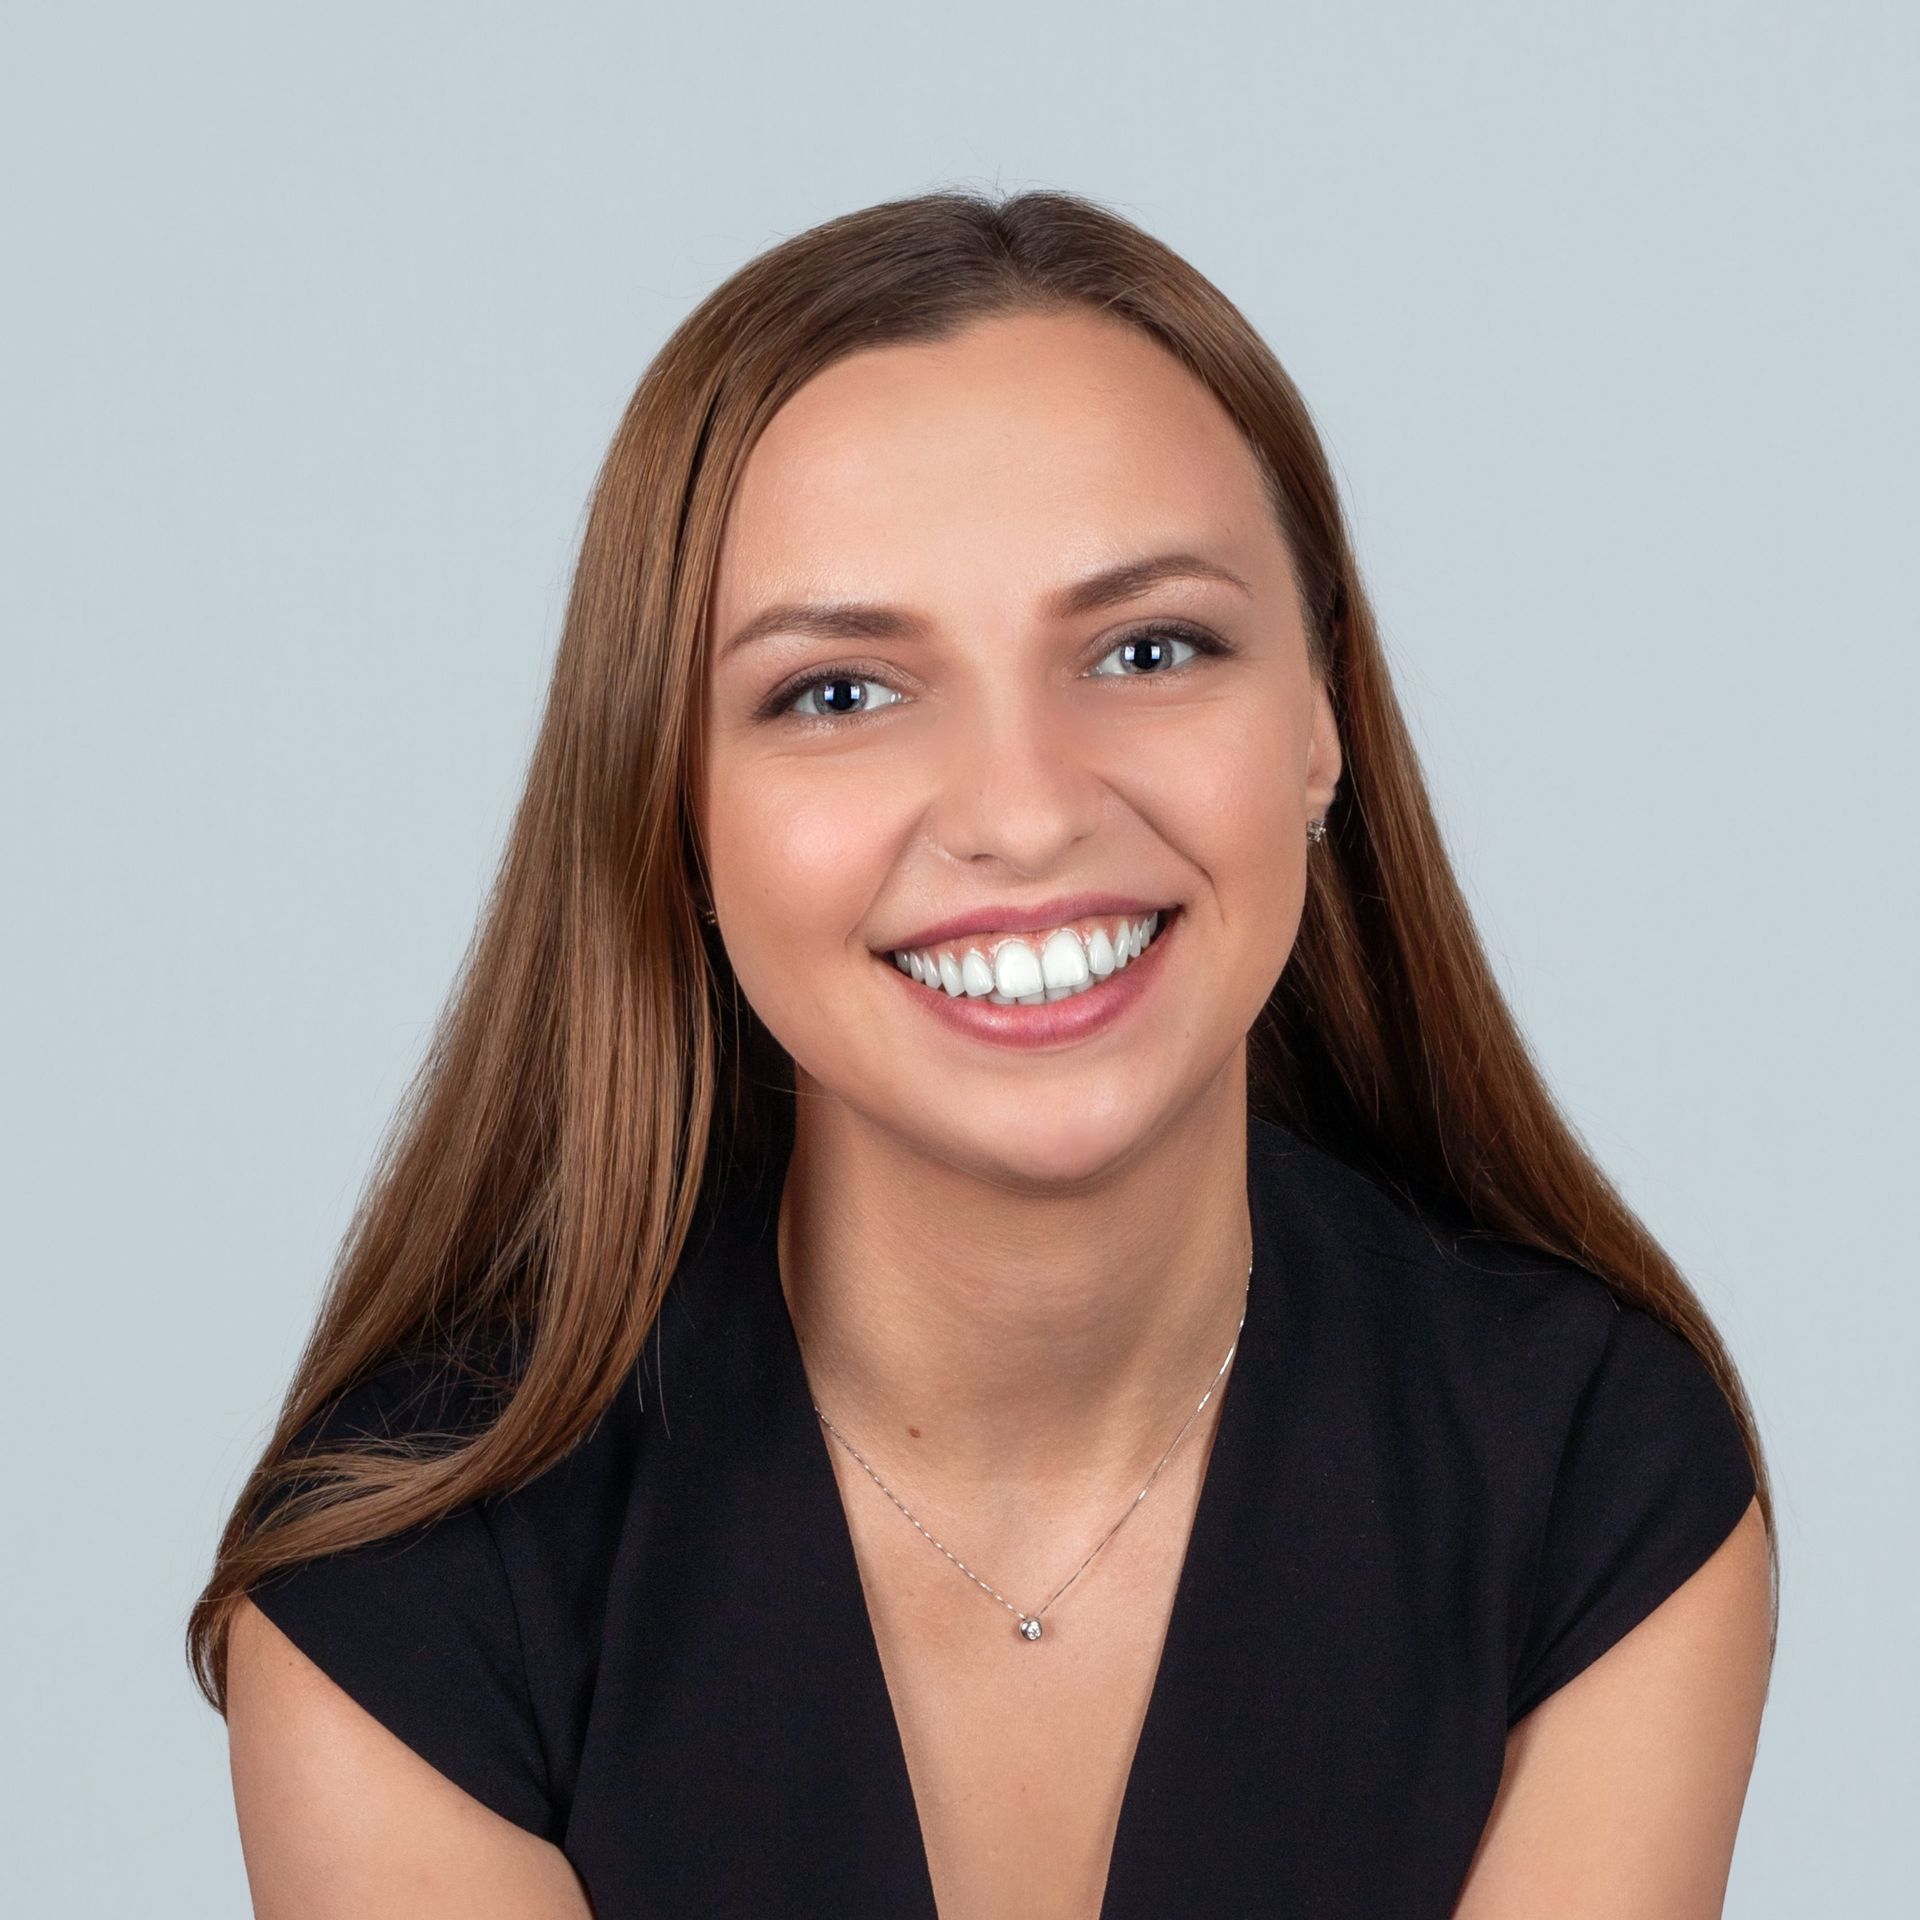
[(596, 1061)]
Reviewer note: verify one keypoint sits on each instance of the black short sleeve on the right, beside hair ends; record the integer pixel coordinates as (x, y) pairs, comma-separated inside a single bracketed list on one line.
[(1652, 1481)]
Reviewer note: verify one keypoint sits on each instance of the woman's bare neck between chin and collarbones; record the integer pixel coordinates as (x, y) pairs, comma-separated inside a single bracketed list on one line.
[(1015, 1345)]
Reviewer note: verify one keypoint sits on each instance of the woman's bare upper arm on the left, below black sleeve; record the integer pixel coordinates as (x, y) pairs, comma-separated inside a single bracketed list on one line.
[(345, 1821)]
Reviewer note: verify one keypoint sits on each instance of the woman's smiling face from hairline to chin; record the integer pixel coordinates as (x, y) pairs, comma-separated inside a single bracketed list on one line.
[(982, 732)]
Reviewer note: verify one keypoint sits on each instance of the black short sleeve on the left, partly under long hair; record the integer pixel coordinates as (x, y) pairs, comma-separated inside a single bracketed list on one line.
[(421, 1629)]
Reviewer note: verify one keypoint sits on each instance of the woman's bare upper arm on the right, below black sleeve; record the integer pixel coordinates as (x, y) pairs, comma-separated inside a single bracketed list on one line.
[(1621, 1792)]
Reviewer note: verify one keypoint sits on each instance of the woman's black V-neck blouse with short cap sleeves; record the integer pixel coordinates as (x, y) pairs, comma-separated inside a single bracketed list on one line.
[(1449, 1474)]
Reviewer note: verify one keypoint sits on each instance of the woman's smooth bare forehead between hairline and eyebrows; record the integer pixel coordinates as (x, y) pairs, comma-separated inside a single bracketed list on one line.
[(990, 466)]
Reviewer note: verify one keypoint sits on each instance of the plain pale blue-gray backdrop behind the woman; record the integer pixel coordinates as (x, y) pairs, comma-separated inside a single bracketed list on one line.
[(318, 322)]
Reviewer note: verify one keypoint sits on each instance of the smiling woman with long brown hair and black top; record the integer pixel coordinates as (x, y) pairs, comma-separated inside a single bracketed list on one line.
[(919, 1093)]
